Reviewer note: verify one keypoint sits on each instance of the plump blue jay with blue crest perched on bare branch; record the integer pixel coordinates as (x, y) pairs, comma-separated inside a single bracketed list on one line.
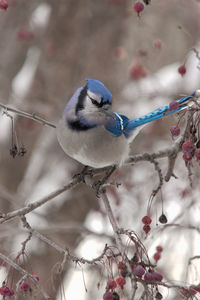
[(94, 135)]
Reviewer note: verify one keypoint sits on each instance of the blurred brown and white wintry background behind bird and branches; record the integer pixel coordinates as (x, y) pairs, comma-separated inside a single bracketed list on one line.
[(47, 49)]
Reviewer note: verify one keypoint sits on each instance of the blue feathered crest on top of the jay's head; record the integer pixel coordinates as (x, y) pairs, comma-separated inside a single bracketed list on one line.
[(98, 87)]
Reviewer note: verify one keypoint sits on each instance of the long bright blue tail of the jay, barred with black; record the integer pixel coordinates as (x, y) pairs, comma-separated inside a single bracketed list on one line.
[(157, 114)]
